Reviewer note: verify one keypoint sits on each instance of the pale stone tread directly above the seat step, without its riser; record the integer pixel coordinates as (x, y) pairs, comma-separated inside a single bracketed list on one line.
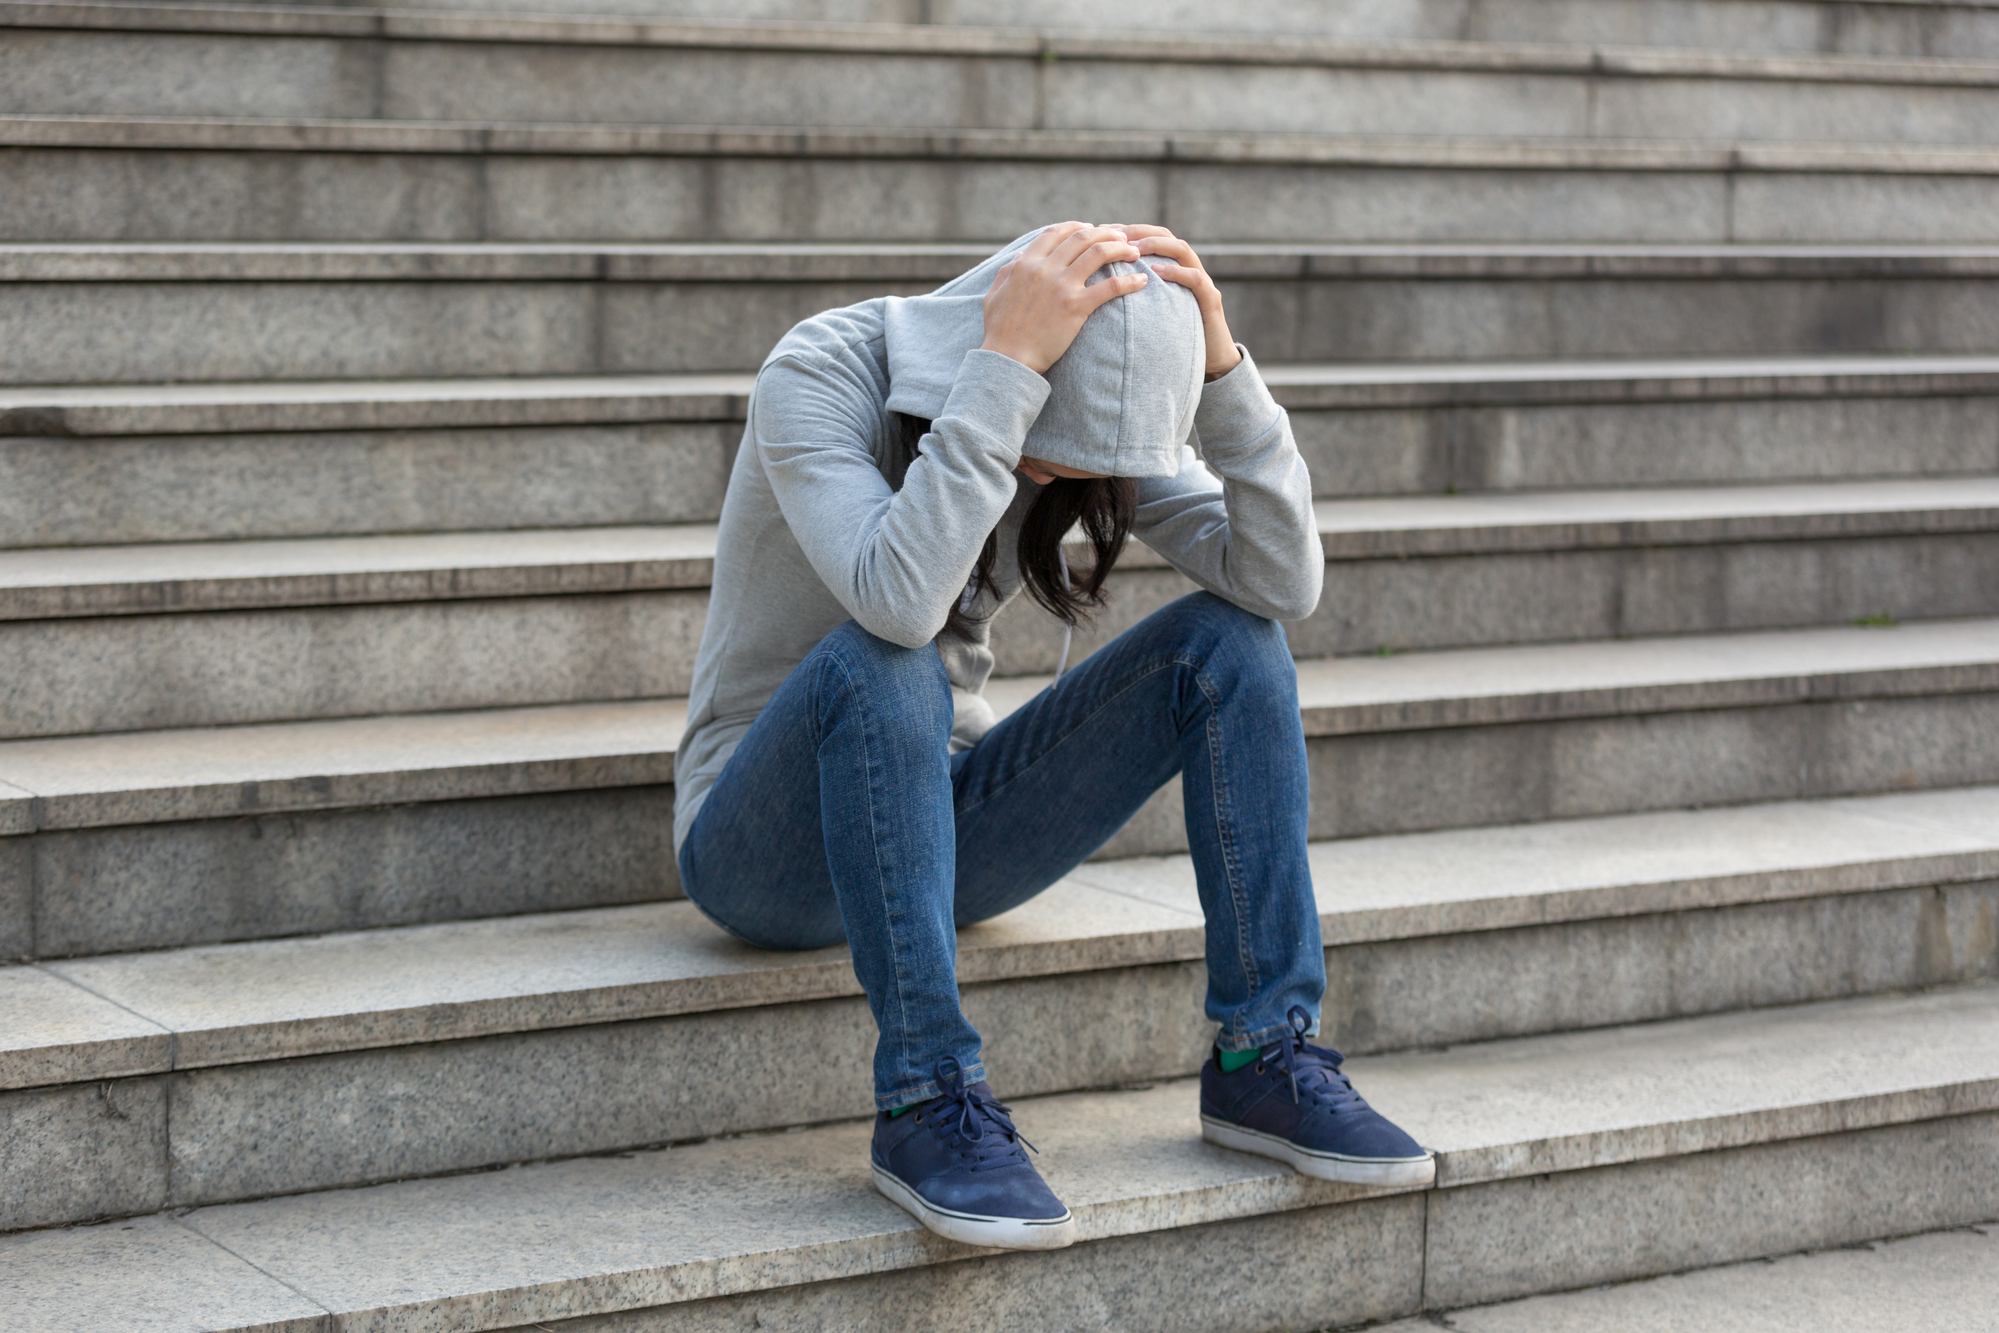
[(221, 772)]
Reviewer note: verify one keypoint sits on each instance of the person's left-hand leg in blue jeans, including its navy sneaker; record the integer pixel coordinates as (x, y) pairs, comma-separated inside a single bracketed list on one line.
[(835, 818)]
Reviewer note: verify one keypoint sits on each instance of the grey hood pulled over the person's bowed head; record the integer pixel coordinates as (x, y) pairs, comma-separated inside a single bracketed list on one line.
[(1120, 399)]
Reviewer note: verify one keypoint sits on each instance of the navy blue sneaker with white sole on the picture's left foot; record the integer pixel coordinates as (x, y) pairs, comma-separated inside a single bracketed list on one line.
[(957, 1164)]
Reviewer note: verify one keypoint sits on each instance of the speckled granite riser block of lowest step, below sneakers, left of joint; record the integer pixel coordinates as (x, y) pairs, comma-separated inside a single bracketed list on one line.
[(1316, 1268)]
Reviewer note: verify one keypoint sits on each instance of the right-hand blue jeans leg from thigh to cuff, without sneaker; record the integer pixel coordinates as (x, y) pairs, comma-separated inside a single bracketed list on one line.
[(1198, 688)]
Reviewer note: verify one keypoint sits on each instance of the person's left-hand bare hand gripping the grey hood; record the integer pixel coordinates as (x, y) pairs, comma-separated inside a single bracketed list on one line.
[(1038, 301)]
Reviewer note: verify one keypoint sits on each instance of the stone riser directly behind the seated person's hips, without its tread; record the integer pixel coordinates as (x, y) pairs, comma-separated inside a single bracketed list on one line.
[(195, 882)]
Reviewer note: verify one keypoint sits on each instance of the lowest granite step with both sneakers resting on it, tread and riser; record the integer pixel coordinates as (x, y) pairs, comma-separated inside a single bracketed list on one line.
[(1624, 1154)]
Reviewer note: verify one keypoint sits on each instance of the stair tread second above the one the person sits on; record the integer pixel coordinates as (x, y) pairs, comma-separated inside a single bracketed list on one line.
[(195, 577)]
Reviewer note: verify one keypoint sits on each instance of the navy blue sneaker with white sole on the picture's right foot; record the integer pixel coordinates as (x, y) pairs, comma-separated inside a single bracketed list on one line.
[(1294, 1106)]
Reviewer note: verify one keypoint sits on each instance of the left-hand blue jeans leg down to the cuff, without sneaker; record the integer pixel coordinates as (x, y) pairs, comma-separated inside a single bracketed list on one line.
[(835, 820)]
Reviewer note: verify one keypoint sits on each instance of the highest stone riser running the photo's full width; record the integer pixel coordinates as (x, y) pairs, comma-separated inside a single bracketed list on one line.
[(239, 75)]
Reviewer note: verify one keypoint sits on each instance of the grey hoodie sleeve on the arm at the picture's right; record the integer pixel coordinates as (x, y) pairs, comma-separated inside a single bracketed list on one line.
[(1240, 527)]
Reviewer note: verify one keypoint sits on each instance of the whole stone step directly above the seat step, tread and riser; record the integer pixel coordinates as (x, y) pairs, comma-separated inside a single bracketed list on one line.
[(175, 838)]
